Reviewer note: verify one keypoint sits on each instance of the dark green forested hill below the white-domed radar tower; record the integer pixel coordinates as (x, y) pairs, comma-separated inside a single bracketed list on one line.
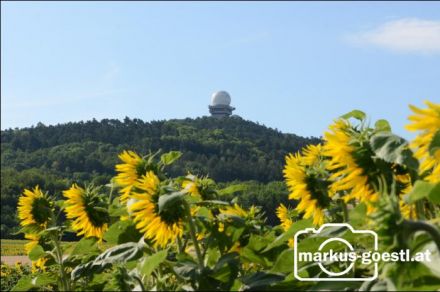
[(54, 156)]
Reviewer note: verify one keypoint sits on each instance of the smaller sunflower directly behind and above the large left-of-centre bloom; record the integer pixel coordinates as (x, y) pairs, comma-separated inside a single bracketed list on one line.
[(129, 172)]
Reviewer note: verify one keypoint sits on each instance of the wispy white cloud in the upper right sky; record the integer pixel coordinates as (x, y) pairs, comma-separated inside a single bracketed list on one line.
[(408, 35)]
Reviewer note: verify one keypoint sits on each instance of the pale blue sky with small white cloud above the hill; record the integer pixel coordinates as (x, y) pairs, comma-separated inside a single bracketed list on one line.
[(291, 66)]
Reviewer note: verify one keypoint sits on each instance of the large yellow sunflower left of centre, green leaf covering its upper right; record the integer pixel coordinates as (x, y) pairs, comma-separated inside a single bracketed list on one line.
[(161, 228)]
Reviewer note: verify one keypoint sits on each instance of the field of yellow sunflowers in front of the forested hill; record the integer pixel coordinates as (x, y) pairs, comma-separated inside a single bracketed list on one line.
[(147, 231)]
